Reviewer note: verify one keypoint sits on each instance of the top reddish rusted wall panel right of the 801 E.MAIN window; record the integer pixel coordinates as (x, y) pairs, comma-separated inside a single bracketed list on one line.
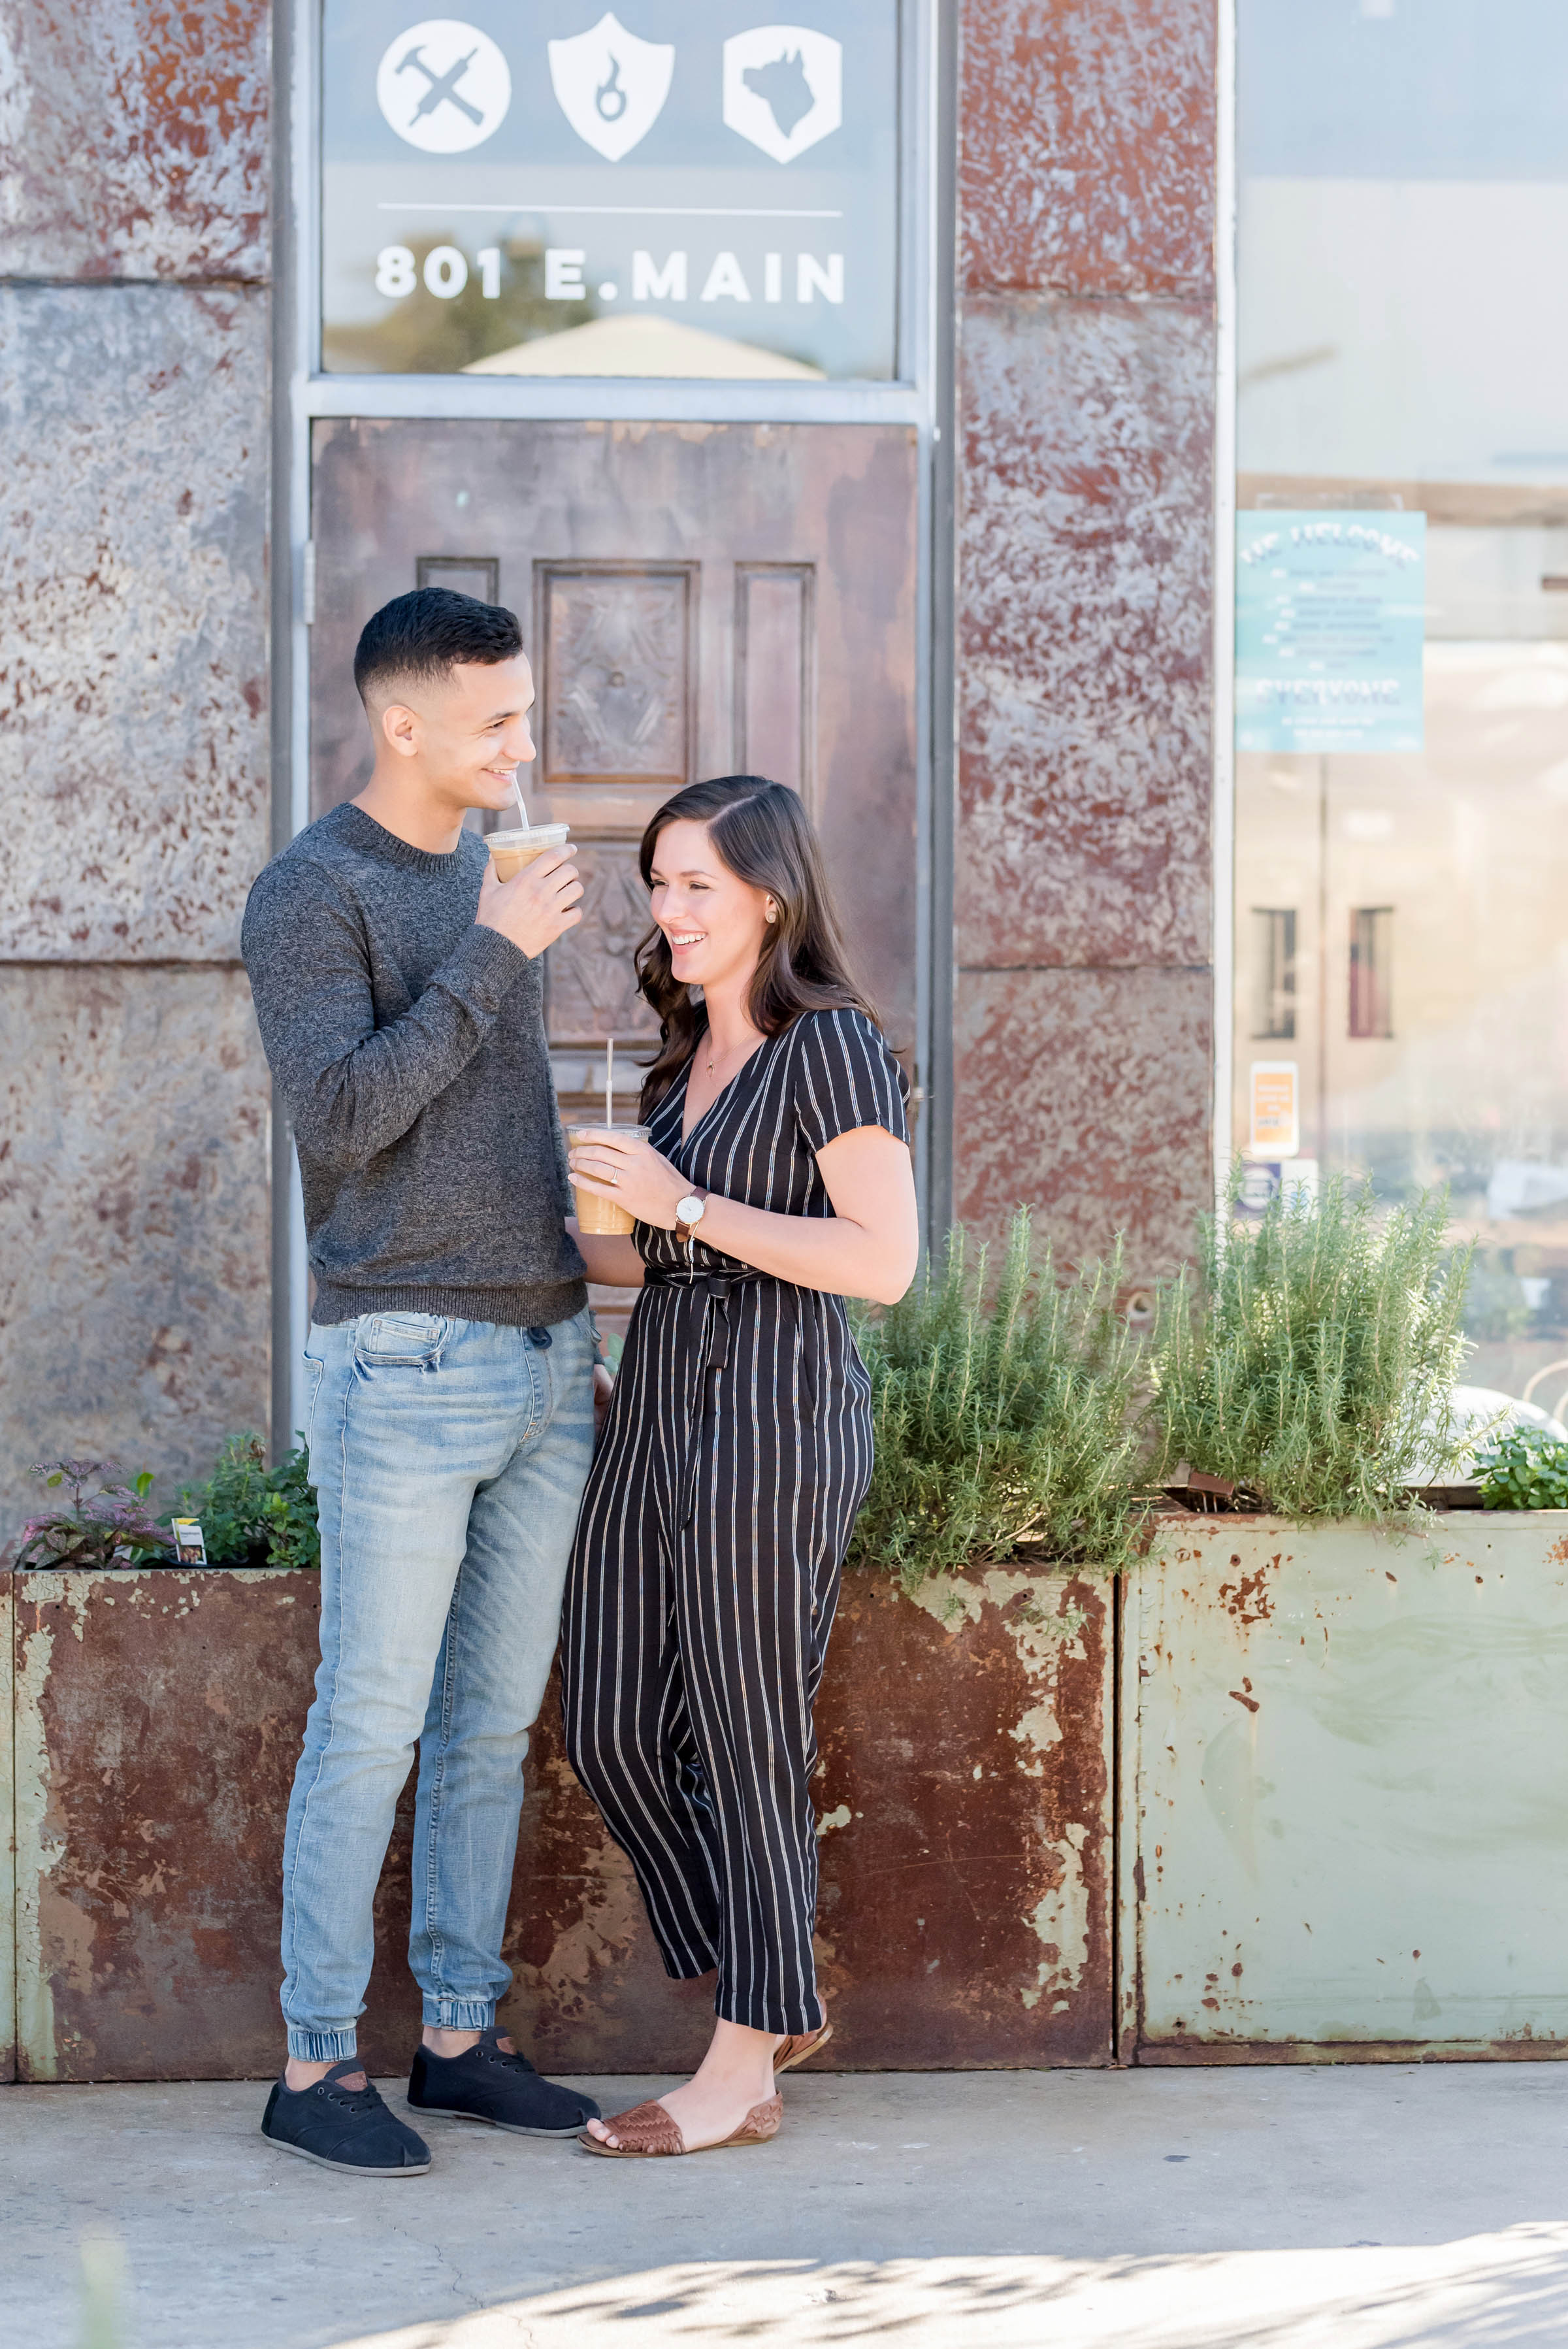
[(1088, 144)]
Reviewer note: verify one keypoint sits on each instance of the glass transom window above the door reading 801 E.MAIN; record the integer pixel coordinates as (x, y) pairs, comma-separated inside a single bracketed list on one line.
[(541, 189)]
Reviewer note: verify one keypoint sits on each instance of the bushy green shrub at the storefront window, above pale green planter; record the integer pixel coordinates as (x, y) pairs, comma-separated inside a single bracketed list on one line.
[(1316, 1359)]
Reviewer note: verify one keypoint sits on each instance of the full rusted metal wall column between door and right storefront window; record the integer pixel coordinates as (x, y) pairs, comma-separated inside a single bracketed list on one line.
[(1086, 391)]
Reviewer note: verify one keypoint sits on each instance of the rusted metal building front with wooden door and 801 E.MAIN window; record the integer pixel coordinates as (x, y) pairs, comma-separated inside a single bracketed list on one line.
[(842, 403)]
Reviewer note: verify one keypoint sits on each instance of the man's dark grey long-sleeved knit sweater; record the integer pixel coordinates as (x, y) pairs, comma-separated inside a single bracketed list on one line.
[(410, 1051)]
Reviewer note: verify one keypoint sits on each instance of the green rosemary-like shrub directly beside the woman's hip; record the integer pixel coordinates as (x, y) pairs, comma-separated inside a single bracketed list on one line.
[(1001, 1425)]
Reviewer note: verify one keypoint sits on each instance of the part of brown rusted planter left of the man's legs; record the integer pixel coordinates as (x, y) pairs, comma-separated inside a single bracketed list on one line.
[(158, 1723)]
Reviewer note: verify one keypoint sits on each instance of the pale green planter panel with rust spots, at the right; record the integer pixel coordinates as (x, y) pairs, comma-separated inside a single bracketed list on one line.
[(1346, 1791)]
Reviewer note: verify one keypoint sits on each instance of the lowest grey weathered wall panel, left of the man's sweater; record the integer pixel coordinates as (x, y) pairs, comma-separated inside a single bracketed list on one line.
[(135, 1300)]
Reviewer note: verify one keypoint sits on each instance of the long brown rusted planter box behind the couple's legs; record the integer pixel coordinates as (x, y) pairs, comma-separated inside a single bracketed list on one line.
[(964, 1810)]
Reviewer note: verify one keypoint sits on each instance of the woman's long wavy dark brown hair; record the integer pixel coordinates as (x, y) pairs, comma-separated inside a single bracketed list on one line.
[(764, 837)]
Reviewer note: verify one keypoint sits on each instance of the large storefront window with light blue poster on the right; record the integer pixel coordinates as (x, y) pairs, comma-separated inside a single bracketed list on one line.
[(1403, 626)]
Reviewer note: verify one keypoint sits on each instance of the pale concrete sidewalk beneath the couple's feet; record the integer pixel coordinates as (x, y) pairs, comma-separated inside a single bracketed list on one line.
[(1299, 2209)]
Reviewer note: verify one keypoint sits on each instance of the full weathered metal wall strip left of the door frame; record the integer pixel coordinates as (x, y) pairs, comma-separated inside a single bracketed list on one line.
[(135, 1312)]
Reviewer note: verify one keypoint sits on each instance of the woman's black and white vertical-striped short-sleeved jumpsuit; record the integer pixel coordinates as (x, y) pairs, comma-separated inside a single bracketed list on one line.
[(715, 1523)]
